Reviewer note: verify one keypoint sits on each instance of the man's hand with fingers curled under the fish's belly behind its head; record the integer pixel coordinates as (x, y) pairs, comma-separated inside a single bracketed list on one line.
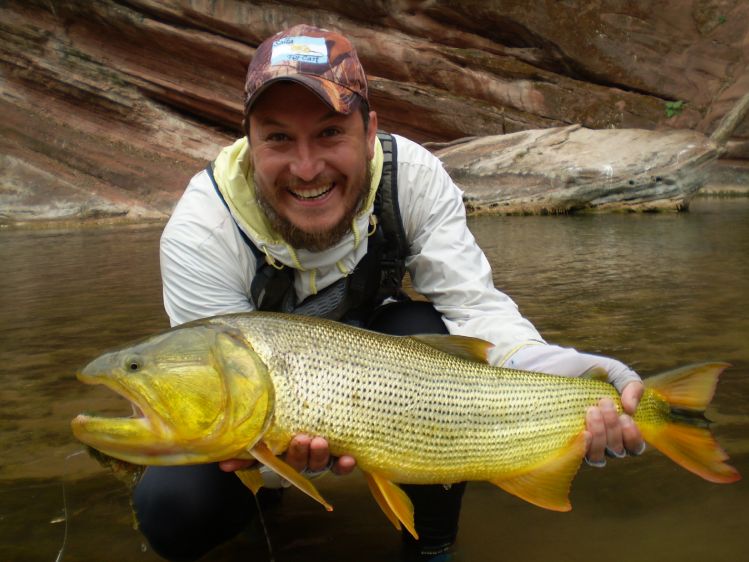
[(304, 453)]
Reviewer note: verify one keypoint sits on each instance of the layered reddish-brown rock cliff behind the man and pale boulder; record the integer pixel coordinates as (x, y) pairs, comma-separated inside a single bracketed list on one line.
[(109, 106)]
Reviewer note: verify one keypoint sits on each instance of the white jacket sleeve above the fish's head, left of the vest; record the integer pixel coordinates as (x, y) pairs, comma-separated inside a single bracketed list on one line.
[(206, 268)]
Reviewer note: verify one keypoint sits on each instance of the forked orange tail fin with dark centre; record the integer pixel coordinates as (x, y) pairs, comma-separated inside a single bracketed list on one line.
[(684, 437)]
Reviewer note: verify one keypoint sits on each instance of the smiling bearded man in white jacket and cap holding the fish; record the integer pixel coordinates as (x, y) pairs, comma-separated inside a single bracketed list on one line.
[(315, 212)]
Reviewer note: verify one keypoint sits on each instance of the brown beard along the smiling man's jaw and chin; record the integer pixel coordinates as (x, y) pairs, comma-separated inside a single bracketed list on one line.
[(319, 240)]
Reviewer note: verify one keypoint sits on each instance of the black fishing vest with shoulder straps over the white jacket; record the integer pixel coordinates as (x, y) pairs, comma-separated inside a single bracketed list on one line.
[(377, 276)]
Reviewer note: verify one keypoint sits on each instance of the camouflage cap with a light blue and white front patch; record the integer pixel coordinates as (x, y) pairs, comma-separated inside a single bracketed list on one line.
[(324, 61)]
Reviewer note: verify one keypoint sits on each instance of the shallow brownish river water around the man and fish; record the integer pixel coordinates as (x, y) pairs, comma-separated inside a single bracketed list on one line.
[(655, 291)]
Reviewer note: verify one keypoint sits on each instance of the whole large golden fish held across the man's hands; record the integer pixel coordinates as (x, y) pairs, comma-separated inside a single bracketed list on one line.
[(413, 410)]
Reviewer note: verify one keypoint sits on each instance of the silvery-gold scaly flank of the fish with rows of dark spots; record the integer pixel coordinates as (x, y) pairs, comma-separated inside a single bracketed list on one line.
[(418, 414)]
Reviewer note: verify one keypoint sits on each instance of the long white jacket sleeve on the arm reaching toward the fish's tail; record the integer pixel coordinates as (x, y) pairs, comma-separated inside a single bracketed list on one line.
[(445, 262)]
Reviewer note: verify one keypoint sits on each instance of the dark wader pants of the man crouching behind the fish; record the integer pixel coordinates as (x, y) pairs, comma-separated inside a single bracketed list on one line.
[(185, 511)]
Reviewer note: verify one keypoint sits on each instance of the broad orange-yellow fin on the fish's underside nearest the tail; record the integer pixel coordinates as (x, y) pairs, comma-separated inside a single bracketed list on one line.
[(548, 485)]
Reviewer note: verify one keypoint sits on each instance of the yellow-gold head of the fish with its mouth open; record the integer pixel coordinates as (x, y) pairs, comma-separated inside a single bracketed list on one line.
[(198, 396)]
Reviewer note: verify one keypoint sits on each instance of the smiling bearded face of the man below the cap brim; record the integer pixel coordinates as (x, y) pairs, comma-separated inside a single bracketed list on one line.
[(311, 164)]
